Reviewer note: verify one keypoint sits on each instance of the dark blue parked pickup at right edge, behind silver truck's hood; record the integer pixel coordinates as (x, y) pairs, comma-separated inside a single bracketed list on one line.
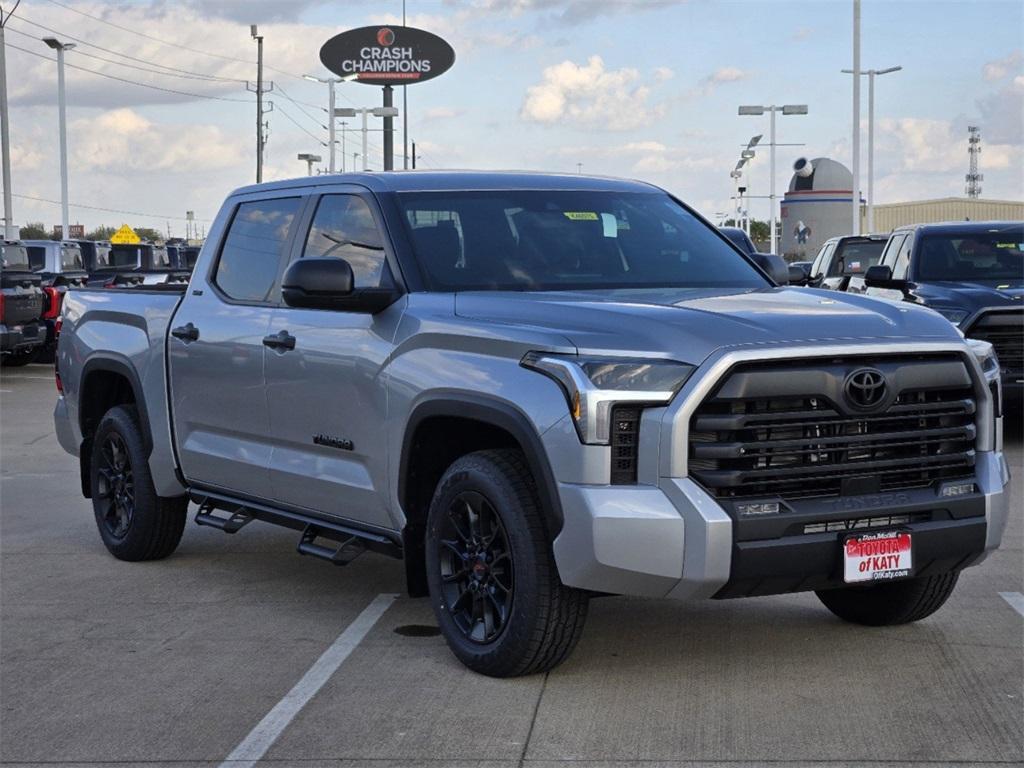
[(971, 273)]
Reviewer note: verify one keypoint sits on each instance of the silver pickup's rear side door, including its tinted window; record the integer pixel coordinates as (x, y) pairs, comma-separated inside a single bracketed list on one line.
[(219, 404)]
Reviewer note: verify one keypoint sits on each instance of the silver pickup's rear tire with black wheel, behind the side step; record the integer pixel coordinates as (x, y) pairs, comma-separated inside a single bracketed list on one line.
[(135, 524)]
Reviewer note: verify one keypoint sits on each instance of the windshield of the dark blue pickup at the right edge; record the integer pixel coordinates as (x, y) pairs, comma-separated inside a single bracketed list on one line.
[(972, 257)]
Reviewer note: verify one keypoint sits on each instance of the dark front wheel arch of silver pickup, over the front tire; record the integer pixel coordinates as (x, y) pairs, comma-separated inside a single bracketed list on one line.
[(470, 423)]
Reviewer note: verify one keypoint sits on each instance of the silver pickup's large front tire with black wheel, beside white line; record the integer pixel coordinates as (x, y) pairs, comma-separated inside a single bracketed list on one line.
[(493, 580)]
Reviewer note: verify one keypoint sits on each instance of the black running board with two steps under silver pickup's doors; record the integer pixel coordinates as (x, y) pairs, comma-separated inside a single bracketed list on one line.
[(351, 539)]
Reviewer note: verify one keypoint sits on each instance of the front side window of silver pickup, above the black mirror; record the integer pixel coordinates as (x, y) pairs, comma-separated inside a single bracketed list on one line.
[(345, 228)]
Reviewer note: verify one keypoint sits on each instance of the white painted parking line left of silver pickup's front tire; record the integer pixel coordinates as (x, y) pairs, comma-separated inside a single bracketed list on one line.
[(271, 728)]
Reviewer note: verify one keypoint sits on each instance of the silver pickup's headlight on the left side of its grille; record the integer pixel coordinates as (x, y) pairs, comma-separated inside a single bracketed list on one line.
[(593, 386)]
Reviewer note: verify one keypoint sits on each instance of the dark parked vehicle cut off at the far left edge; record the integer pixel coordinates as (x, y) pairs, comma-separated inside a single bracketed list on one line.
[(22, 333)]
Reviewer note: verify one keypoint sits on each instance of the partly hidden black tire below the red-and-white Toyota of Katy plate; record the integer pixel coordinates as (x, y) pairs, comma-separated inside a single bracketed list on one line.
[(890, 605)]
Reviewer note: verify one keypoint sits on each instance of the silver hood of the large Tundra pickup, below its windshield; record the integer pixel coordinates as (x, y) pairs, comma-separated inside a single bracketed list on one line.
[(690, 325)]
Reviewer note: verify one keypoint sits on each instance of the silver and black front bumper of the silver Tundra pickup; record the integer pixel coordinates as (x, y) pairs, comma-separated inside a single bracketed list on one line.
[(674, 540)]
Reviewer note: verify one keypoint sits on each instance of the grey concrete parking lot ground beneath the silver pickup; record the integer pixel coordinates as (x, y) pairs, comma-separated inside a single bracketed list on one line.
[(177, 663)]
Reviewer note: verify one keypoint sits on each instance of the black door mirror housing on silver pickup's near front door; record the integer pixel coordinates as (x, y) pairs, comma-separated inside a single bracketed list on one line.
[(328, 283)]
